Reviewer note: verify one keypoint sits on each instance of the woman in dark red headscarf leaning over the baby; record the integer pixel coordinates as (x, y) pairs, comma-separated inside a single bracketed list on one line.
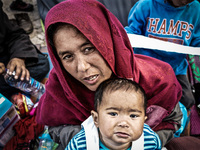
[(87, 45)]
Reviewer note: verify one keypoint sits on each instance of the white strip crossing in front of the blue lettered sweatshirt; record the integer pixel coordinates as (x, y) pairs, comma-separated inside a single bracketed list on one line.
[(141, 41)]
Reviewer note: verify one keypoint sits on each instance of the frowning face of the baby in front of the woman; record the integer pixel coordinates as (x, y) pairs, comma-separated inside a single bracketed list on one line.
[(120, 118)]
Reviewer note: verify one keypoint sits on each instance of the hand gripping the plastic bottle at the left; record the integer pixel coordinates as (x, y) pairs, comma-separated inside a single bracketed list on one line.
[(18, 65)]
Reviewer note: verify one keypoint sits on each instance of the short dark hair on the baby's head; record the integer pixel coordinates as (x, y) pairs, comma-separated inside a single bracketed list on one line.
[(112, 85)]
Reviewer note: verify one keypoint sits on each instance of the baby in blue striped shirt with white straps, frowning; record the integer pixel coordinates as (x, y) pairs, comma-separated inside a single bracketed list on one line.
[(117, 121)]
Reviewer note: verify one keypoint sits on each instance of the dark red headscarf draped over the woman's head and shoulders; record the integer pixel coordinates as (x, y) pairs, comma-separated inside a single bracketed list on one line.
[(66, 100)]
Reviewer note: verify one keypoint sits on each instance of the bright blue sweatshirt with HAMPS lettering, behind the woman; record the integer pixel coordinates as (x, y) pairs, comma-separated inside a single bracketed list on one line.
[(158, 19)]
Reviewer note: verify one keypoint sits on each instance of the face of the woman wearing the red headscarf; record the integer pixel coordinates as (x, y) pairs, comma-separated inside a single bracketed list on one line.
[(80, 58)]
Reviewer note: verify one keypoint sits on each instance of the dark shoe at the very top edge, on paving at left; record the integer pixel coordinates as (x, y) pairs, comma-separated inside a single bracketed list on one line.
[(20, 5)]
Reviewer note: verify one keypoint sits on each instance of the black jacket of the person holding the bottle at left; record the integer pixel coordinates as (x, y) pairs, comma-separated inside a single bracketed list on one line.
[(14, 42)]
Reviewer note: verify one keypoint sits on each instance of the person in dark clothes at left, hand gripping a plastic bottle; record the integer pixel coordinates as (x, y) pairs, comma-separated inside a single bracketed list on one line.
[(17, 53)]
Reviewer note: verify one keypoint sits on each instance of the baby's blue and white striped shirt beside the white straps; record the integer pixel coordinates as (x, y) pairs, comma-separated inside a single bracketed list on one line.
[(151, 141)]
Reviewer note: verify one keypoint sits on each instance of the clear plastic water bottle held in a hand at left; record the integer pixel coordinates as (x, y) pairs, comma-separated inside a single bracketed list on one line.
[(31, 86)]
